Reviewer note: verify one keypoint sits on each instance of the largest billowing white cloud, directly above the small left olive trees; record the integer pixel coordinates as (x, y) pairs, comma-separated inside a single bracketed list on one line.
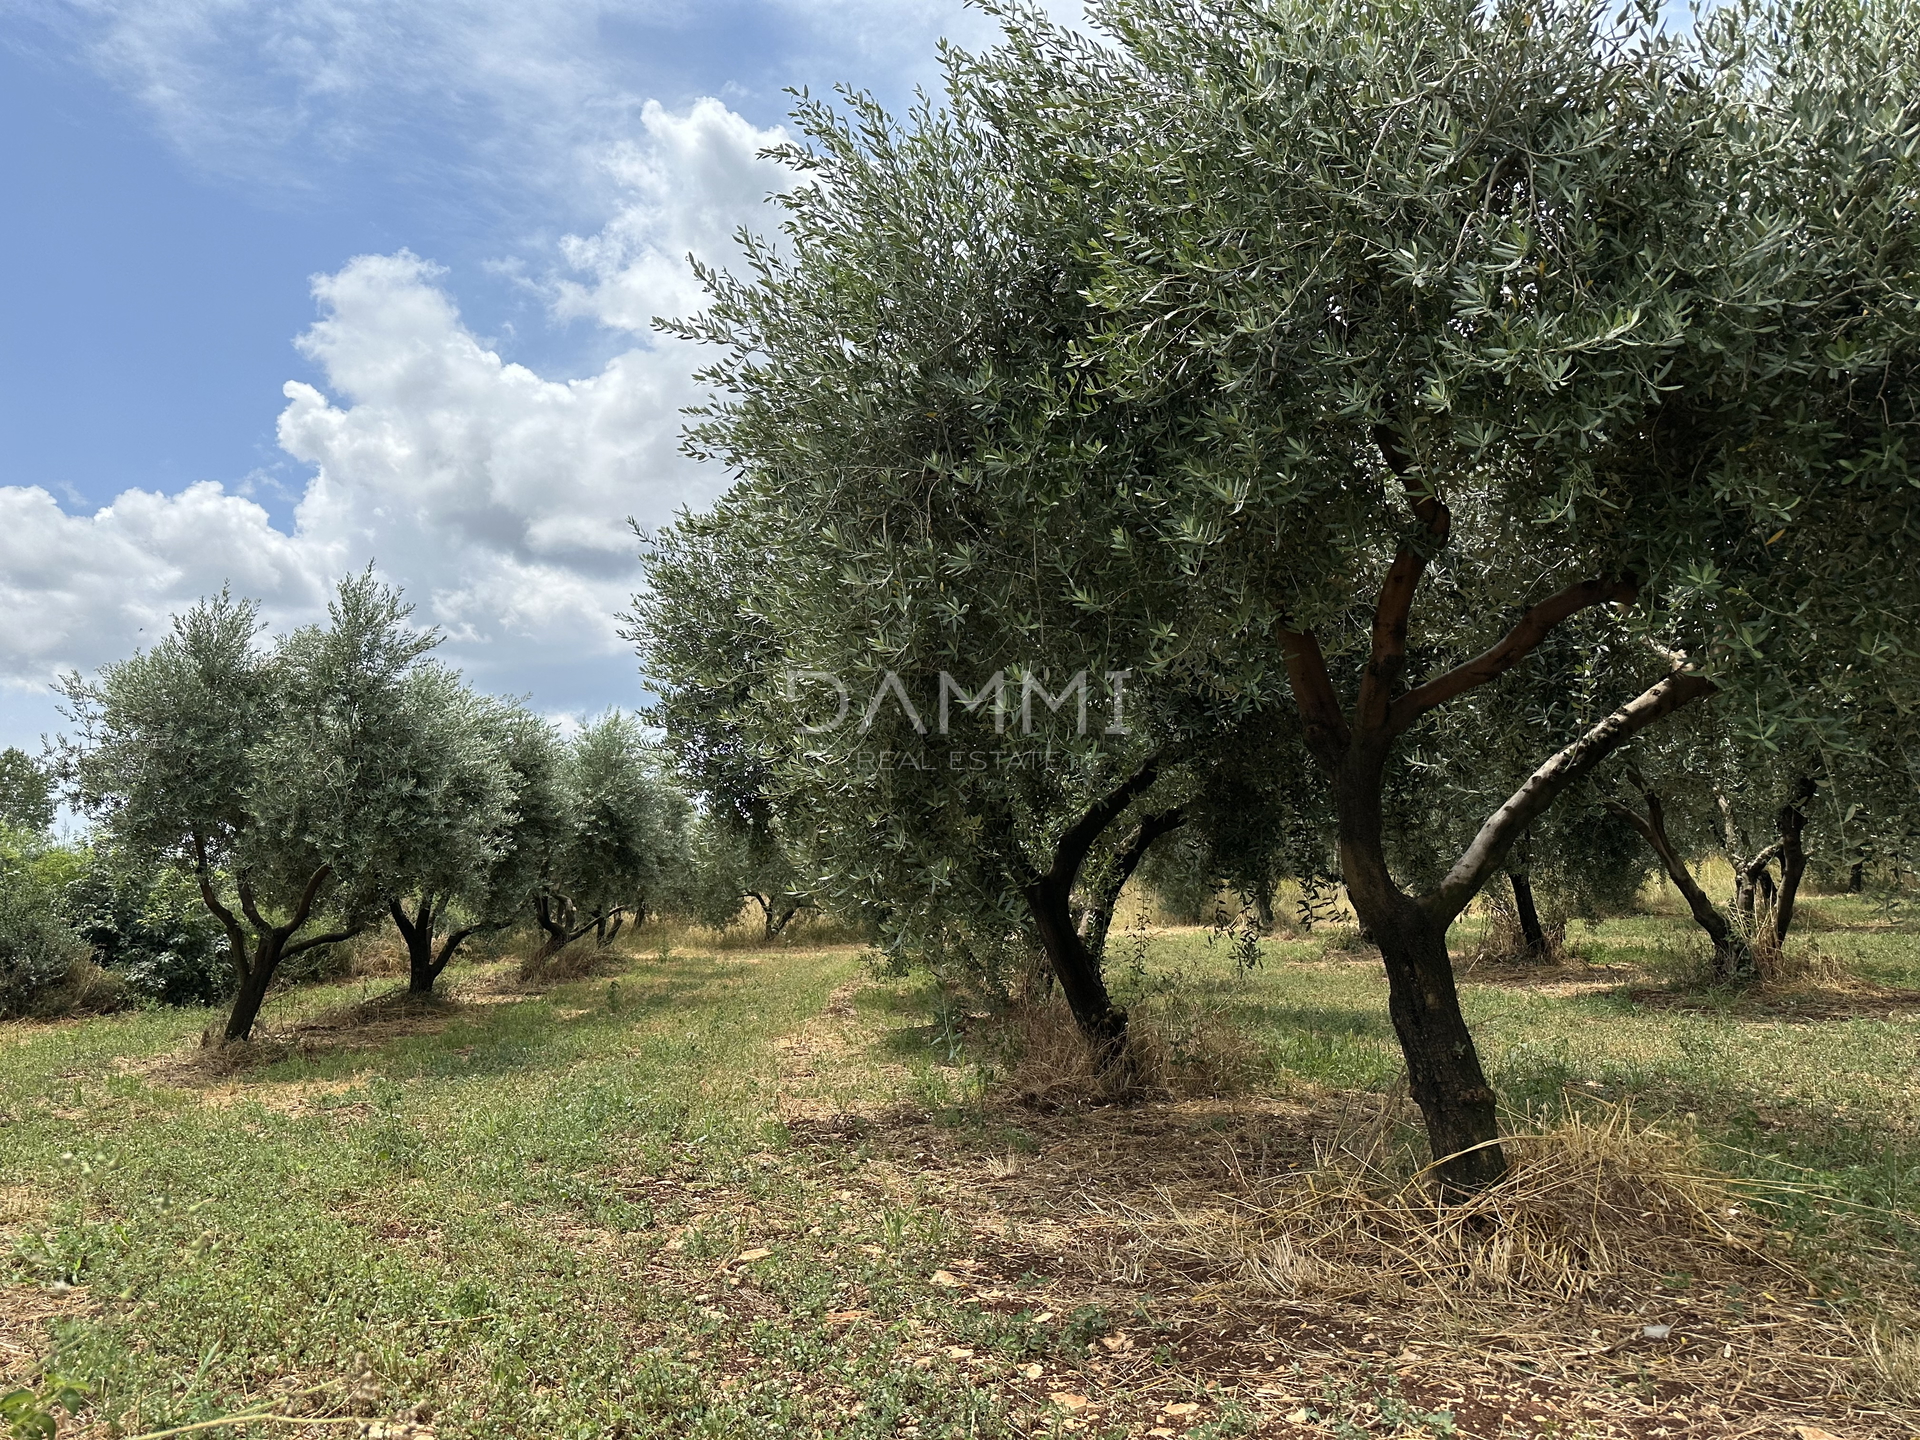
[(496, 496)]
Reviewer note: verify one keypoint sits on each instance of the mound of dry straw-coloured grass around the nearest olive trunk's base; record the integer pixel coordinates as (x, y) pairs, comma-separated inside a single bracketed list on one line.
[(1589, 1211)]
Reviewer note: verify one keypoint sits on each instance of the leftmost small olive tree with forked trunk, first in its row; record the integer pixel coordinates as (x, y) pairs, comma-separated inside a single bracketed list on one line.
[(274, 775)]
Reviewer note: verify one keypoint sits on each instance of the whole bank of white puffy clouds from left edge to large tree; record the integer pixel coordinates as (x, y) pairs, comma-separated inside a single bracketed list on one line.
[(498, 498)]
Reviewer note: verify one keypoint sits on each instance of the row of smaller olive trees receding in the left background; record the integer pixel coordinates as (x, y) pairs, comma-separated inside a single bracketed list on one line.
[(320, 782)]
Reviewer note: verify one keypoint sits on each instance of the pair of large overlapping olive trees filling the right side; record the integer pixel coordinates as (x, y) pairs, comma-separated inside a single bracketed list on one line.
[(1320, 370)]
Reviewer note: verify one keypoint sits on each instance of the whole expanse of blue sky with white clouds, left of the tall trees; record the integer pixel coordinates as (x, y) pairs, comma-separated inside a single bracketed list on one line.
[(304, 285)]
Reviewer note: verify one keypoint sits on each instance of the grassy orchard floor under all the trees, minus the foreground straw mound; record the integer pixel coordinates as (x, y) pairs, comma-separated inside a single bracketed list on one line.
[(754, 1193)]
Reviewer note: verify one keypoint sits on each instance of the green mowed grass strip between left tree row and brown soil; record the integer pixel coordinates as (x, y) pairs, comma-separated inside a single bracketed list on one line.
[(460, 1228)]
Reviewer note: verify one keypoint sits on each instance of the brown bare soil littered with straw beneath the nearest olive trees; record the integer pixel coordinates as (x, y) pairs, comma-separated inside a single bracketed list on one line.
[(1166, 1224)]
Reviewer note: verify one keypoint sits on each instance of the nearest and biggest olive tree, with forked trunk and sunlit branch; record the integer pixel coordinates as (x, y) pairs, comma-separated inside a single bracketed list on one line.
[(1474, 316)]
